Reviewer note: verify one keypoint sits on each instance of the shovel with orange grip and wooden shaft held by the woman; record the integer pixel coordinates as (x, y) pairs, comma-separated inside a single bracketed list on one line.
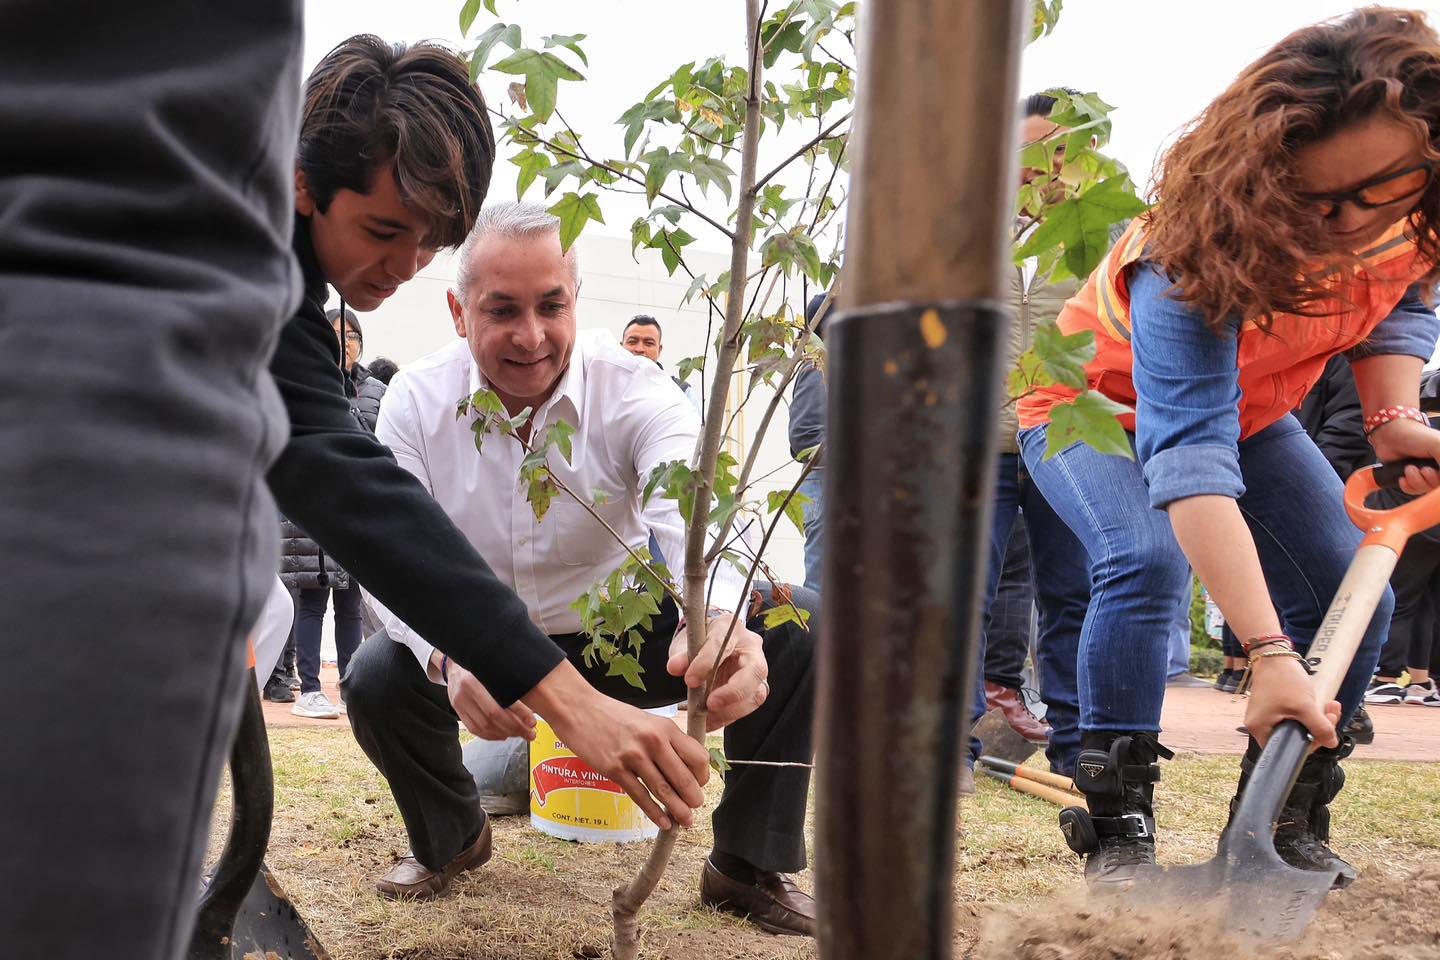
[(1264, 897)]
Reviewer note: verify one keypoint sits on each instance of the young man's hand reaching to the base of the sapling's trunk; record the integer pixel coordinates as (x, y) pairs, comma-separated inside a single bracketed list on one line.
[(650, 758)]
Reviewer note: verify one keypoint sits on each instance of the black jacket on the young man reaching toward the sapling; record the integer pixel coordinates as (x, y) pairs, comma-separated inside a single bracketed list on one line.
[(345, 489)]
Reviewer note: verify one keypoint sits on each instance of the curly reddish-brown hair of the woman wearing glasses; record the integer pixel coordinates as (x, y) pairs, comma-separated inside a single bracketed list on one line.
[(1230, 227)]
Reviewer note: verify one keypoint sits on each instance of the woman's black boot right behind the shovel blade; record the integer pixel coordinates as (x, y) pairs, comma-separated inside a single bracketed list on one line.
[(1302, 831)]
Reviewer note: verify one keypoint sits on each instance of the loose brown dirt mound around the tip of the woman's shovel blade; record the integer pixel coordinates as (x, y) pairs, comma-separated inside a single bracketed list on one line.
[(1380, 918)]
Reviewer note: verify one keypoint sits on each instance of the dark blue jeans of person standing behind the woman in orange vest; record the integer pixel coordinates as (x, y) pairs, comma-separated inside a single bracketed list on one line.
[(1061, 579)]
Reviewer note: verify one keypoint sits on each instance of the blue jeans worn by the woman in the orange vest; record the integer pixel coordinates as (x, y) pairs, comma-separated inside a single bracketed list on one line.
[(1138, 574)]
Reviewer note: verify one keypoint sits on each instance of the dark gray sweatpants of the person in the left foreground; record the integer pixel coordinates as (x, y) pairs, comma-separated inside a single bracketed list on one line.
[(146, 153)]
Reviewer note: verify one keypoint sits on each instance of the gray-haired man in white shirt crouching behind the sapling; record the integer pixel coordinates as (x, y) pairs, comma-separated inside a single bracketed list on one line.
[(513, 306)]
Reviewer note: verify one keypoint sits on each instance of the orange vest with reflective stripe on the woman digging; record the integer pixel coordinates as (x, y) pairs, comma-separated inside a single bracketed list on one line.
[(1277, 369)]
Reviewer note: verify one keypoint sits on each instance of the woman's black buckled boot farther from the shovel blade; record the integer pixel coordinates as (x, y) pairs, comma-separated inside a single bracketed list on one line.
[(1118, 774)]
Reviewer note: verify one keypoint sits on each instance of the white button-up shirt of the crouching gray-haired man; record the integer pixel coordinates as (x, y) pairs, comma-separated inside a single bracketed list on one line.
[(629, 418)]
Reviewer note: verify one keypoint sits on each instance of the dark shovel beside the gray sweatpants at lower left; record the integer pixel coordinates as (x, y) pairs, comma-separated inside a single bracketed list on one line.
[(244, 913)]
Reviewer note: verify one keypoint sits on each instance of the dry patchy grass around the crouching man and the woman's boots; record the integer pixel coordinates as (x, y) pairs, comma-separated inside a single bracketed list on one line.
[(336, 830)]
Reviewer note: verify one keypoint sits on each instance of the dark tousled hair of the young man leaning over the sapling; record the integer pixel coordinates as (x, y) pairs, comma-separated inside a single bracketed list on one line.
[(371, 103)]
